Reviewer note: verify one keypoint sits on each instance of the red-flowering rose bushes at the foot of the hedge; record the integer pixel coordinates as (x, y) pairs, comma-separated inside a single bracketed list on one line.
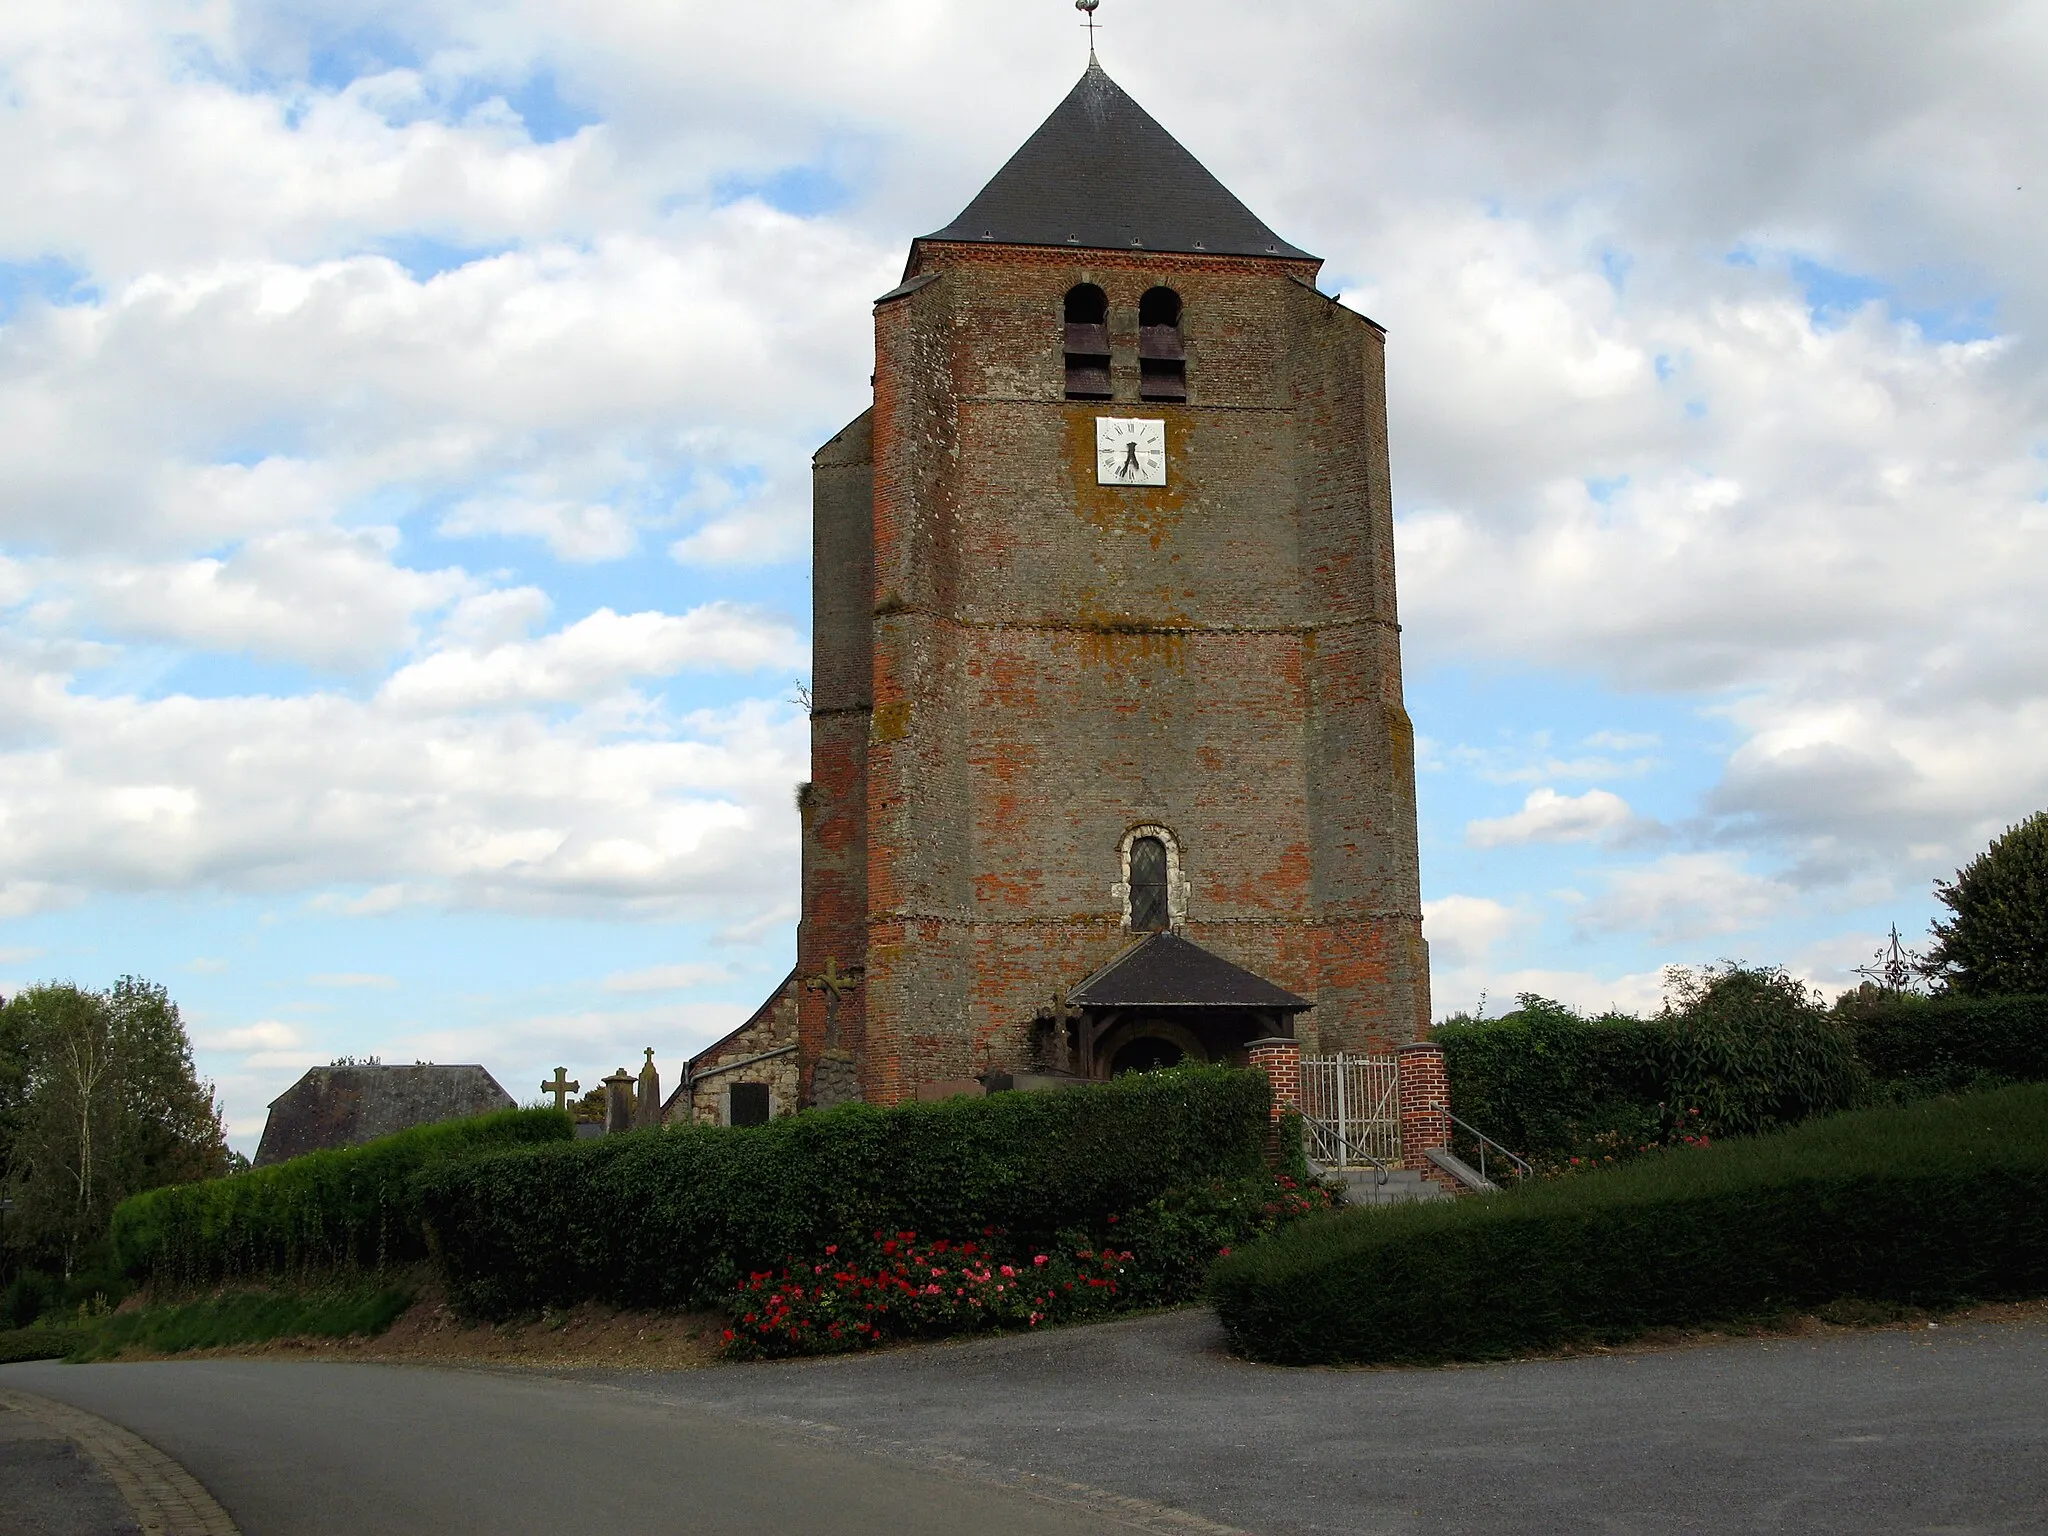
[(892, 1287)]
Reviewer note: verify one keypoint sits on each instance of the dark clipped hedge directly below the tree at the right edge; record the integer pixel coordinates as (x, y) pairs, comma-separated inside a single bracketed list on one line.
[(1953, 1046)]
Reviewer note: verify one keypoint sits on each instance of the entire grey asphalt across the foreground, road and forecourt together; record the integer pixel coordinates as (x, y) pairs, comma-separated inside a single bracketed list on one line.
[(1121, 1426)]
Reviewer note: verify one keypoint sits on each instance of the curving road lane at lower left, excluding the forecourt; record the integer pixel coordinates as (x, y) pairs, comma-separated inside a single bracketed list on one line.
[(370, 1451)]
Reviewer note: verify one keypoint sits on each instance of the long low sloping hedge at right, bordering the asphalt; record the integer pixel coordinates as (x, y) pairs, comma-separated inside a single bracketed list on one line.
[(1928, 1205)]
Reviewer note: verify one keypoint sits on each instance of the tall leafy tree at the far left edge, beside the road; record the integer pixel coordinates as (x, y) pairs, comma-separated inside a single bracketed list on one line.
[(97, 1101)]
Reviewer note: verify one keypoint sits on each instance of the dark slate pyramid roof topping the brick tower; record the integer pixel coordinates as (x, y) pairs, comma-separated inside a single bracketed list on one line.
[(1101, 173)]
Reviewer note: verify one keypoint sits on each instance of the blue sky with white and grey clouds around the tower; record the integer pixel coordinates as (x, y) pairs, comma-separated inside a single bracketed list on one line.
[(407, 415)]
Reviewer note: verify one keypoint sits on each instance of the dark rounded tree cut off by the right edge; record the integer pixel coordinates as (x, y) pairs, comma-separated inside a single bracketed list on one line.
[(1998, 939)]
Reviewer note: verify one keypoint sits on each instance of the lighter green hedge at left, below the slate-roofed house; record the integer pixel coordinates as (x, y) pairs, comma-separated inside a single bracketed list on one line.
[(323, 1213)]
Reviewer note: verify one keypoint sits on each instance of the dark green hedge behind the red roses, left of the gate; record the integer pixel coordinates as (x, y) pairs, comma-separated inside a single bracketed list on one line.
[(683, 1215)]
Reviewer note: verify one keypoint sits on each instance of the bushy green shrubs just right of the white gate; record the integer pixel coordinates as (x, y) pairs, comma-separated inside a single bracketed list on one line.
[(1734, 1052)]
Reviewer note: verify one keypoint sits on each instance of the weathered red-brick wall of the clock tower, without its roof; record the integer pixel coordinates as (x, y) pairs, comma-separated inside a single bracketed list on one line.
[(1054, 663)]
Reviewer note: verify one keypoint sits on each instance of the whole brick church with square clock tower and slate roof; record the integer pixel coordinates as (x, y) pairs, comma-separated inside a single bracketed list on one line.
[(1109, 757)]
